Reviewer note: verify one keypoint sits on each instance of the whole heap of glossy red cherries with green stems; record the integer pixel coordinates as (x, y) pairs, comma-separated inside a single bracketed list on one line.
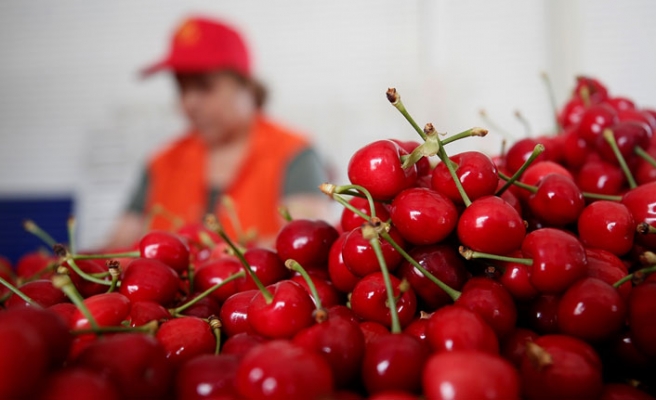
[(527, 275)]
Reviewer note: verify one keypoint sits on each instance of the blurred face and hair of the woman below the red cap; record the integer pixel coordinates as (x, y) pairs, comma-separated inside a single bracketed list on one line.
[(217, 104)]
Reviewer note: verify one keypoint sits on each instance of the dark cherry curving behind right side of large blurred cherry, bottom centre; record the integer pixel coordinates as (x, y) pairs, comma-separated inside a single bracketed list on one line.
[(340, 341)]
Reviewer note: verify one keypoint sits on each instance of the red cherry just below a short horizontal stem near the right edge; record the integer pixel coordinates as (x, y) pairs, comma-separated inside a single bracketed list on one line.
[(607, 225)]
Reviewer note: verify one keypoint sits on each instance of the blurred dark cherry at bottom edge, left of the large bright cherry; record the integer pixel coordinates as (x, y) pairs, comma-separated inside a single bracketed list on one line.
[(207, 376)]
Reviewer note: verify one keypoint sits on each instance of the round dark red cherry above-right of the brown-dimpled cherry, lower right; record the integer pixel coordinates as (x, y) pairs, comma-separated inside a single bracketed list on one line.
[(591, 310)]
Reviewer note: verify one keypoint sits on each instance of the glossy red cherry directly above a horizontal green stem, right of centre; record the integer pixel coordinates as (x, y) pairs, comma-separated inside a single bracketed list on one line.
[(491, 225)]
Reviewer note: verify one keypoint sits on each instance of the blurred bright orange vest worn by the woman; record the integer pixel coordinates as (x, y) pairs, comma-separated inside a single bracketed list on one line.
[(178, 180)]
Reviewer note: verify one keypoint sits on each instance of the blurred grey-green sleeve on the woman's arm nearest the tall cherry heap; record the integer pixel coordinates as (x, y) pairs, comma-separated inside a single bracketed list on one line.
[(304, 174)]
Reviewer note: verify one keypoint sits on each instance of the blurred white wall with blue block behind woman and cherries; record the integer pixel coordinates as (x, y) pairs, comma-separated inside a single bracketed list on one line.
[(77, 123)]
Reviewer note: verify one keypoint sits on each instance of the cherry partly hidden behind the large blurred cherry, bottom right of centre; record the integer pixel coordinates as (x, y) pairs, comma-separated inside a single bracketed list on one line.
[(454, 328)]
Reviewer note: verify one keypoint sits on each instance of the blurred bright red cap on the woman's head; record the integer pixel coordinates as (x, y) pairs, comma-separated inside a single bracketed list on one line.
[(202, 45)]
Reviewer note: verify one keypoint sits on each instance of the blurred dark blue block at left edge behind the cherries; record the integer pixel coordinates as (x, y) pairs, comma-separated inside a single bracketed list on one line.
[(50, 213)]
